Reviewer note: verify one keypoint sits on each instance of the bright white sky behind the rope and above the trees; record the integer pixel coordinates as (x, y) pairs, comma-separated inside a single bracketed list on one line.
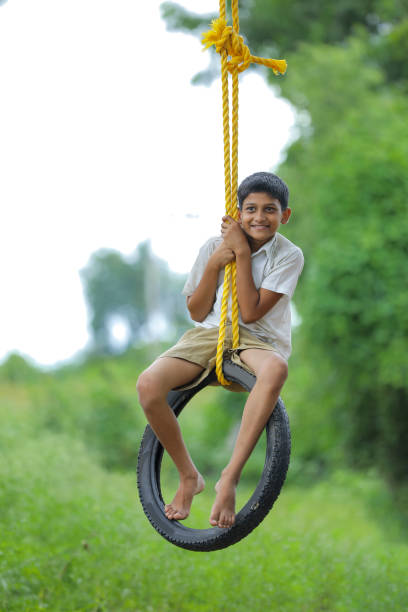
[(104, 143)]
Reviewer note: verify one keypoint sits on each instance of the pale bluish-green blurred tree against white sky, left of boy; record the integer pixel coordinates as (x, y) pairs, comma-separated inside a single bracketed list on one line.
[(133, 291)]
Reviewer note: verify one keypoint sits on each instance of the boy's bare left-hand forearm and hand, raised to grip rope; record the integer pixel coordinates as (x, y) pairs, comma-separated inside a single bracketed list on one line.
[(201, 301)]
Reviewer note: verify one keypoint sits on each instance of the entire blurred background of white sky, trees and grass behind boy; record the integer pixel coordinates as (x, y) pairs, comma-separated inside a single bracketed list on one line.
[(111, 161)]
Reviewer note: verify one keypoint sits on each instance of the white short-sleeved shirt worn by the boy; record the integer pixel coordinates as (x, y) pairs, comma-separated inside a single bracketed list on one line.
[(275, 266)]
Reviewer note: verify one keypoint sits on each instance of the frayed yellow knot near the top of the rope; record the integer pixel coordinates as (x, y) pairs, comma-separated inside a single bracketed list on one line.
[(224, 38)]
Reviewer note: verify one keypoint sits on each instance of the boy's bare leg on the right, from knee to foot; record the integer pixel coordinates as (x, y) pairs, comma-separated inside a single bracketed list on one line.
[(271, 371)]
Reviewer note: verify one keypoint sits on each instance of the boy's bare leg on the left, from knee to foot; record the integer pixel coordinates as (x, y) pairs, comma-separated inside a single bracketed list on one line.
[(153, 386)]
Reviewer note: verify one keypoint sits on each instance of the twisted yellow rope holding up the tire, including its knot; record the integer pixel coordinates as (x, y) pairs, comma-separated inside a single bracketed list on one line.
[(235, 58)]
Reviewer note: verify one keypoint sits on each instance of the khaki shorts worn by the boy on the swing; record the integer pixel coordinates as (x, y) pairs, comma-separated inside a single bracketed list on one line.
[(199, 345)]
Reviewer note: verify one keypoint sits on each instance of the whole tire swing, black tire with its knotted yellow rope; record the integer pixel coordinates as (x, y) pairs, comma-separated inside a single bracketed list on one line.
[(229, 44)]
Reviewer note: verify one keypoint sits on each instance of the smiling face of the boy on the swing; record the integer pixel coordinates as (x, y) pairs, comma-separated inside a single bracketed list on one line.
[(260, 217)]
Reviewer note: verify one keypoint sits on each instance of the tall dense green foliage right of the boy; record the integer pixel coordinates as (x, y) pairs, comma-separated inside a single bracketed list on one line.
[(348, 178)]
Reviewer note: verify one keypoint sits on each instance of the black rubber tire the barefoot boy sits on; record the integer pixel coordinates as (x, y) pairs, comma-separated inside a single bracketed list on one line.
[(271, 481)]
